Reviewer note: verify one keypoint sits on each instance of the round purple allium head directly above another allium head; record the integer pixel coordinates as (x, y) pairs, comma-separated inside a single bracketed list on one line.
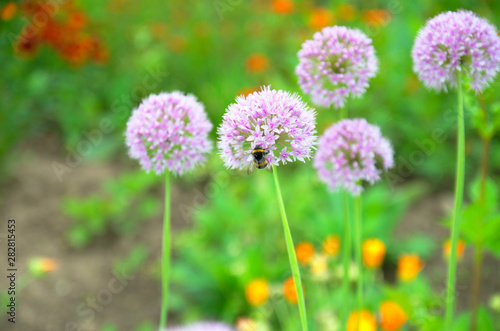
[(336, 63)]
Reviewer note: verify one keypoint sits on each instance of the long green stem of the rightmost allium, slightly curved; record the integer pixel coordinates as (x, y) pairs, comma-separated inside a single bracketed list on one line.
[(457, 212)]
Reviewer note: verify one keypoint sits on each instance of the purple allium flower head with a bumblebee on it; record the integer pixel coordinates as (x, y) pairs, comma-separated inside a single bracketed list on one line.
[(277, 121)]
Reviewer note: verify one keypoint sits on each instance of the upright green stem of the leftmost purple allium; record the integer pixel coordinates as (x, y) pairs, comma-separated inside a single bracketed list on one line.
[(165, 262)]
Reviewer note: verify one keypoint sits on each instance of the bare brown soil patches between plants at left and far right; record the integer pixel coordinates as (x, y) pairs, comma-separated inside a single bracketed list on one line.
[(32, 196)]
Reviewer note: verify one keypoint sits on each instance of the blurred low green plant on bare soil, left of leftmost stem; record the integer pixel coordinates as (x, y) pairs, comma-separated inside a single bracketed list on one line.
[(120, 206)]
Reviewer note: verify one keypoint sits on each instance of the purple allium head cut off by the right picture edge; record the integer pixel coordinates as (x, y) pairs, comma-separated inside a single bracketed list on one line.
[(454, 41)]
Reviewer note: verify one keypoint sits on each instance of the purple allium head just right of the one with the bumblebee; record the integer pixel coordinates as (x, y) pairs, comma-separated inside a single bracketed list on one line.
[(350, 152)]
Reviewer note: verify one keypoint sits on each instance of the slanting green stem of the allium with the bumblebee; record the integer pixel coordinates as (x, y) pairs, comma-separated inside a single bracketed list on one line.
[(291, 255)]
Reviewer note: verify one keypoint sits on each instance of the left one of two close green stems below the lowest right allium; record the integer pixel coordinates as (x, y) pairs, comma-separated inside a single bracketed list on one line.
[(346, 256)]
